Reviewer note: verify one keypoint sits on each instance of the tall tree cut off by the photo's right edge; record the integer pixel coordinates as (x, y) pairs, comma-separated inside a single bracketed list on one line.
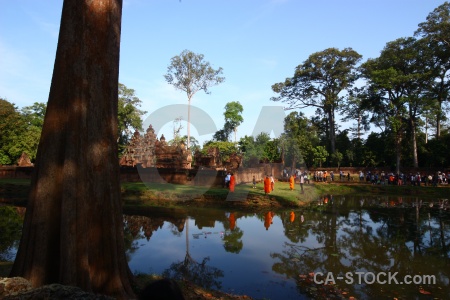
[(436, 32)]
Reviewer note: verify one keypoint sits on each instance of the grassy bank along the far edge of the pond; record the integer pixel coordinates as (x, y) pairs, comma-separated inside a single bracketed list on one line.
[(165, 194)]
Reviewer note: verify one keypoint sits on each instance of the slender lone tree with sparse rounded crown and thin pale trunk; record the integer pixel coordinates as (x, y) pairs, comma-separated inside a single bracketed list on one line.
[(188, 72)]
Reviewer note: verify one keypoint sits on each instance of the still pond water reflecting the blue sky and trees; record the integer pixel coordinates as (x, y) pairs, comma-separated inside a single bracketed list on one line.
[(361, 247)]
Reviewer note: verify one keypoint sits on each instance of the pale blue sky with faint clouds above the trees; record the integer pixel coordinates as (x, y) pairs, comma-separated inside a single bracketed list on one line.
[(256, 42)]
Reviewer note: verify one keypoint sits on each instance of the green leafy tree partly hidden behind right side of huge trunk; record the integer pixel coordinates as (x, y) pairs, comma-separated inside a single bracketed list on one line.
[(129, 115)]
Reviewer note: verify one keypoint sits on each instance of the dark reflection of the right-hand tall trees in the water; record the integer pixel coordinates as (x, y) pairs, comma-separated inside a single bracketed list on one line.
[(385, 235)]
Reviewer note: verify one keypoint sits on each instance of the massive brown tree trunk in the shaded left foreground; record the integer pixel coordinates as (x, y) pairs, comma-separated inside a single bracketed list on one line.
[(73, 229)]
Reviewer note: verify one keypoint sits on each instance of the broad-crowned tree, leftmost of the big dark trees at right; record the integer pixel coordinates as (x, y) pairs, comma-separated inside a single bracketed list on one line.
[(320, 82)]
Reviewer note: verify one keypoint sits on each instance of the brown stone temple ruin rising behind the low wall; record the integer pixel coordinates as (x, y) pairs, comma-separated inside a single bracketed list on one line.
[(148, 151)]
